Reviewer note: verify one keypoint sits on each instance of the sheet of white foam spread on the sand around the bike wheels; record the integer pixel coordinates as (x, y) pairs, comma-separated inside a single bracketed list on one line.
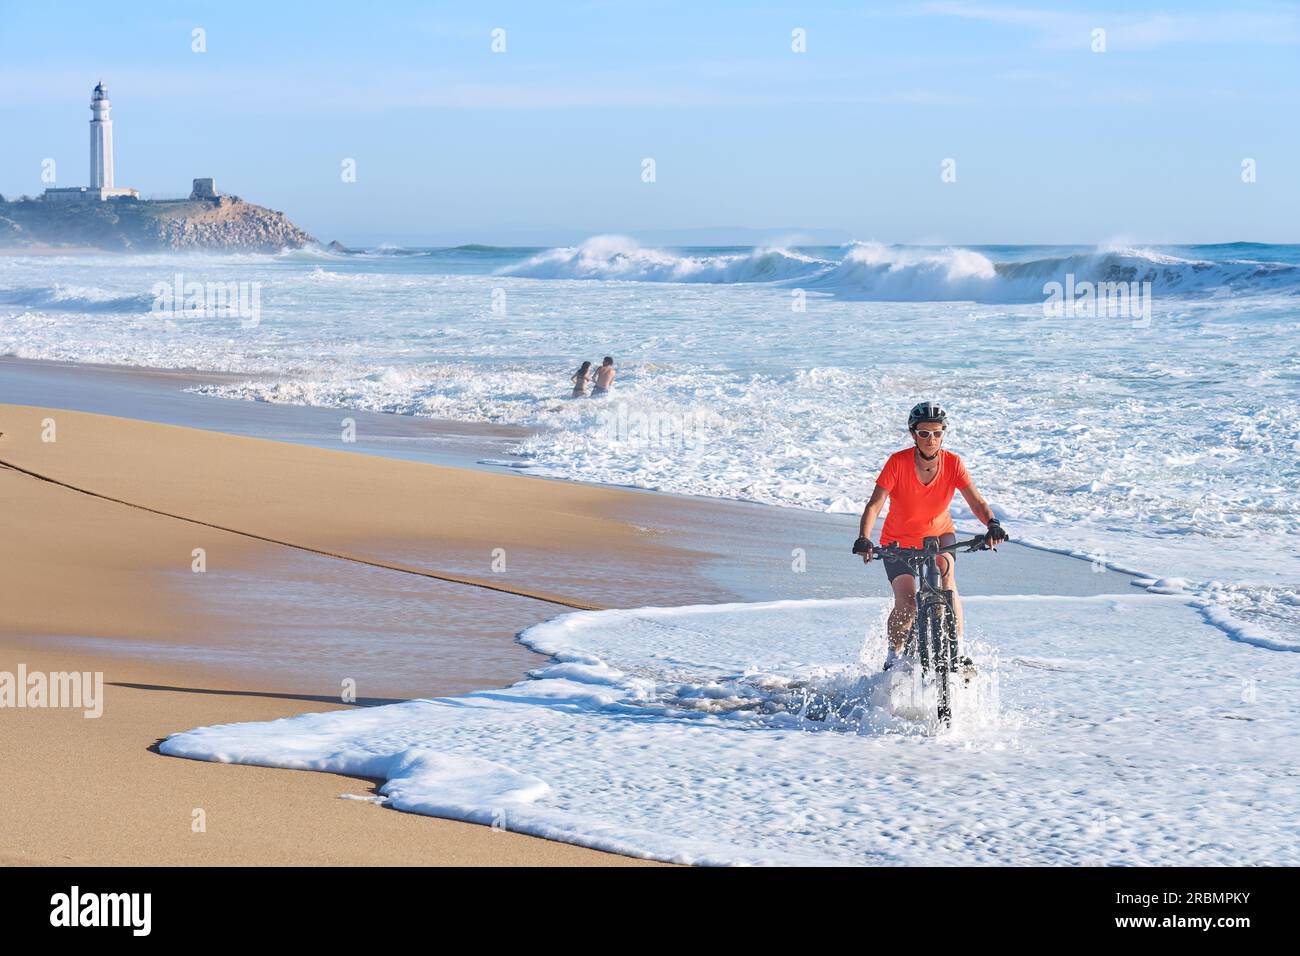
[(752, 734)]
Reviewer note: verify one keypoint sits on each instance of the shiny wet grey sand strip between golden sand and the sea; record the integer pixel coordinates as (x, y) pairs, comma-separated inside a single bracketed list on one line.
[(723, 526)]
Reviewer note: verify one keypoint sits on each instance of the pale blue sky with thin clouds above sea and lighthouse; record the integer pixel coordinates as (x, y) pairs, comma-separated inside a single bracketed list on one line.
[(544, 142)]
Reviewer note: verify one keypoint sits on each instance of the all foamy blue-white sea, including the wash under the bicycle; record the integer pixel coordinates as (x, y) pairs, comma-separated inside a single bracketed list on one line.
[(1106, 729)]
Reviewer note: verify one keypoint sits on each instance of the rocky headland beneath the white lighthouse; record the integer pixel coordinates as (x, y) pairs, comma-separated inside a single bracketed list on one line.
[(135, 226)]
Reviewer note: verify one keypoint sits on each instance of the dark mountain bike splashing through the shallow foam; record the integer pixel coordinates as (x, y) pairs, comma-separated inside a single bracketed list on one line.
[(934, 631)]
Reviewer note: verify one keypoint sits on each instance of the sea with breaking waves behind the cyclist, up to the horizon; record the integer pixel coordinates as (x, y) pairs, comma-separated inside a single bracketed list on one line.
[(1164, 443)]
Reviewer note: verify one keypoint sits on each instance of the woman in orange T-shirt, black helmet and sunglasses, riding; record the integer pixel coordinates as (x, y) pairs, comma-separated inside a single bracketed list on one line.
[(920, 483)]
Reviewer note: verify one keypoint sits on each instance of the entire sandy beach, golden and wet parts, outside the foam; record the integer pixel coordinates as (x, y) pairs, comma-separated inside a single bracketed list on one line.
[(101, 586)]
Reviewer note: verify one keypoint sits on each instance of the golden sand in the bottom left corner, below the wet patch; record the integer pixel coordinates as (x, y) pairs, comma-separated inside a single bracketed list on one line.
[(122, 803)]
